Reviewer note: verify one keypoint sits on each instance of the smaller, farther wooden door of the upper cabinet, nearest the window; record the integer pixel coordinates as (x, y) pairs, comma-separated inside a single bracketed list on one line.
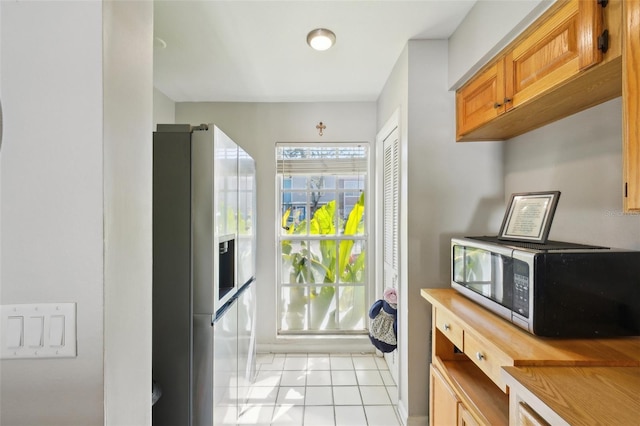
[(481, 100)]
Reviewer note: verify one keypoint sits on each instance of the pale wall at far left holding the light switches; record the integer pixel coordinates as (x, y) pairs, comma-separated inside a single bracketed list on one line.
[(75, 208)]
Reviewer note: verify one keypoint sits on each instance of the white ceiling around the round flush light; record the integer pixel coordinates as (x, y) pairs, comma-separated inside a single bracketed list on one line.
[(256, 51)]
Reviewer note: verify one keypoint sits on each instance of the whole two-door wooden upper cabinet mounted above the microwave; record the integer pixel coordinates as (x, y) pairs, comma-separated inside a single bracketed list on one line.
[(553, 69)]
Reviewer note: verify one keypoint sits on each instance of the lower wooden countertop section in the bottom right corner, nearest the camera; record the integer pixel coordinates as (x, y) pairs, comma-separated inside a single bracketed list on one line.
[(582, 395)]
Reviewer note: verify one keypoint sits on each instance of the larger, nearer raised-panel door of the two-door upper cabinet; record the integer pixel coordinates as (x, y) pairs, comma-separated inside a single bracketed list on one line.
[(554, 52)]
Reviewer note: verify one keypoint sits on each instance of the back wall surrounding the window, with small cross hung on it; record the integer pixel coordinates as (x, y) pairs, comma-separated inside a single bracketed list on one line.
[(257, 127)]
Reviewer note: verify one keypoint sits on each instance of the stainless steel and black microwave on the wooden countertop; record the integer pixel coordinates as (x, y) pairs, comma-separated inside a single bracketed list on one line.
[(557, 289)]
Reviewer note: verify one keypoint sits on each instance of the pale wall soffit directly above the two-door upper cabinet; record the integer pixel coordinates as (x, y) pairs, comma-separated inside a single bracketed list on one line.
[(488, 27)]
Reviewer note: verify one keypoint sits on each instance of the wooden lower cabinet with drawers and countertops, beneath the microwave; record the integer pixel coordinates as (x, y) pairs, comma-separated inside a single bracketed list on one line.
[(486, 371)]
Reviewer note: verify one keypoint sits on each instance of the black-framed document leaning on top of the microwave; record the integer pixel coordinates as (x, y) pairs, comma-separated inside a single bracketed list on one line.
[(529, 216)]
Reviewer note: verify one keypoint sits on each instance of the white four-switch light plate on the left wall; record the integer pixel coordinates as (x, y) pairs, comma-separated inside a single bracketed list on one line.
[(42, 330)]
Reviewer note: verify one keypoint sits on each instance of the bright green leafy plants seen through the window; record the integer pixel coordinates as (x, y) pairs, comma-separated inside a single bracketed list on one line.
[(323, 279)]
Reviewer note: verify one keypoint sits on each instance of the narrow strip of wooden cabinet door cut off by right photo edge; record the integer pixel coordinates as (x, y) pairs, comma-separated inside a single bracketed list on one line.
[(631, 105)]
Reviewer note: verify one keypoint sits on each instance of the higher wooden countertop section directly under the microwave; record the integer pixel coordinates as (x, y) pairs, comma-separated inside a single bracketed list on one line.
[(529, 350)]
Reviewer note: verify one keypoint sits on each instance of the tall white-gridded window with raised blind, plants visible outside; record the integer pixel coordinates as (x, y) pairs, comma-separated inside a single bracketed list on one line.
[(322, 238)]
